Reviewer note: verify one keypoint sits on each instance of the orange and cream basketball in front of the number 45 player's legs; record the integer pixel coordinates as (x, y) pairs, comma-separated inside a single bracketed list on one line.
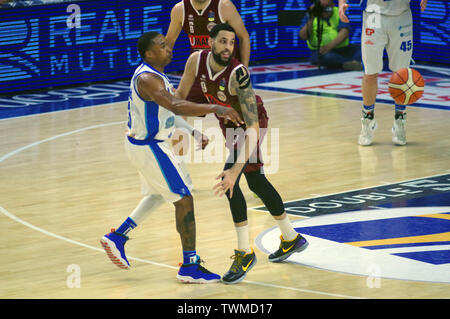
[(406, 86)]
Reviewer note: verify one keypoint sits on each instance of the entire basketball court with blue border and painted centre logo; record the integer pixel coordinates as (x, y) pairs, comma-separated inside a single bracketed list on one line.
[(377, 217)]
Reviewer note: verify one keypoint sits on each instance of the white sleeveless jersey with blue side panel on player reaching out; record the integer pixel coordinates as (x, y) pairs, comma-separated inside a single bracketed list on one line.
[(147, 120)]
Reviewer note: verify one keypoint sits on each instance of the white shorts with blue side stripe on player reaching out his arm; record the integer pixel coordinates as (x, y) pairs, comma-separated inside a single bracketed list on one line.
[(160, 171)]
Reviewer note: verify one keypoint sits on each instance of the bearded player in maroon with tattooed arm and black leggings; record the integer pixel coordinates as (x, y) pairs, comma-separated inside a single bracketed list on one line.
[(225, 80)]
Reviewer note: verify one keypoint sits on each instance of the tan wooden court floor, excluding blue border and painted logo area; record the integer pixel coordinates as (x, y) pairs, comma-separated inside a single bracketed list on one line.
[(65, 181)]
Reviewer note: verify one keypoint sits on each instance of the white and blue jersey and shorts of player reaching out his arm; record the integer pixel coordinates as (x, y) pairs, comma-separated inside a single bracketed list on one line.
[(148, 144)]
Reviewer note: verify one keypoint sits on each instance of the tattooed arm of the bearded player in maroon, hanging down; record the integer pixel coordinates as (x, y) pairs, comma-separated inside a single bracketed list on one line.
[(242, 87)]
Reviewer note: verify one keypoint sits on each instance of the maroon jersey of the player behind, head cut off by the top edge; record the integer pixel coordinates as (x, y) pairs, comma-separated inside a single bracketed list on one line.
[(198, 24)]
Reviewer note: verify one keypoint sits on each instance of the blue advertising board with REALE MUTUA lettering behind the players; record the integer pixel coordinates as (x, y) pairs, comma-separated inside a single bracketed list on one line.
[(64, 44)]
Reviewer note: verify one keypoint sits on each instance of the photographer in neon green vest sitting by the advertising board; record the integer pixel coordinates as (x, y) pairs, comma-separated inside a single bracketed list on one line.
[(328, 38)]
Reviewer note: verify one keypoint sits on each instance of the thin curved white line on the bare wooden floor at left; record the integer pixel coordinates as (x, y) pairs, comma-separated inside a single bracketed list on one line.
[(21, 221)]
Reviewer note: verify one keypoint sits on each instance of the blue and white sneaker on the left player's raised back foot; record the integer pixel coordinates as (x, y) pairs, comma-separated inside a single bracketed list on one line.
[(113, 243)]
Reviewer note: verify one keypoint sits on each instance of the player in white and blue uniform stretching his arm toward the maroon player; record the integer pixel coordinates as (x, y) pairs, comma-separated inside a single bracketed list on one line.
[(152, 117)]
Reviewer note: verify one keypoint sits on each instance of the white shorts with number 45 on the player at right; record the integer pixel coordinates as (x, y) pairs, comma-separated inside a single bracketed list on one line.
[(395, 33)]
